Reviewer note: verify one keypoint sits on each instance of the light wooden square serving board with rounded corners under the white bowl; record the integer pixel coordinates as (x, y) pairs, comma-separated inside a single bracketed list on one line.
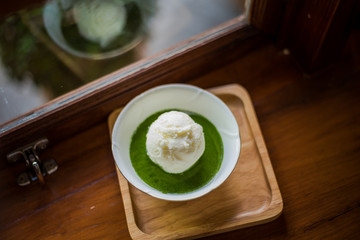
[(250, 196)]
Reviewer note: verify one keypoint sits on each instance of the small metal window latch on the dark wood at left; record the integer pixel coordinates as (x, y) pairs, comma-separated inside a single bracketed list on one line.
[(36, 168)]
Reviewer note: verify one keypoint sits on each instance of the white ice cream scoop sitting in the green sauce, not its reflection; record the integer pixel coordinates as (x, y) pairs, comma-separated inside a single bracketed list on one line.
[(175, 142)]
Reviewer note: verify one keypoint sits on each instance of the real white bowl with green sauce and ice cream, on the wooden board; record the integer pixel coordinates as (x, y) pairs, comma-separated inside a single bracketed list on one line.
[(176, 142)]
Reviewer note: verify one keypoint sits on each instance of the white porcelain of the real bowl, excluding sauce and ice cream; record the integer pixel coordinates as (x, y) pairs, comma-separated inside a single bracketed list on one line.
[(175, 96)]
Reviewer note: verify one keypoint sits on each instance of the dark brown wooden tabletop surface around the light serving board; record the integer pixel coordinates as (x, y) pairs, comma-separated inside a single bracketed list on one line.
[(310, 123)]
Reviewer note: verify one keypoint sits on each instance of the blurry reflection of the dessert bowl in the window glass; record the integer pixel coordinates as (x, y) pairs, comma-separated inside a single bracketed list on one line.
[(95, 29)]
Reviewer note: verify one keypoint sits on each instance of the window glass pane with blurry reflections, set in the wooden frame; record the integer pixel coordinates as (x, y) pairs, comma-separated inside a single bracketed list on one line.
[(49, 50)]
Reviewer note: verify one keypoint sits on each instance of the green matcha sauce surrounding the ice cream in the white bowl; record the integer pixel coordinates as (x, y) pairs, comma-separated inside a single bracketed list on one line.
[(194, 178)]
